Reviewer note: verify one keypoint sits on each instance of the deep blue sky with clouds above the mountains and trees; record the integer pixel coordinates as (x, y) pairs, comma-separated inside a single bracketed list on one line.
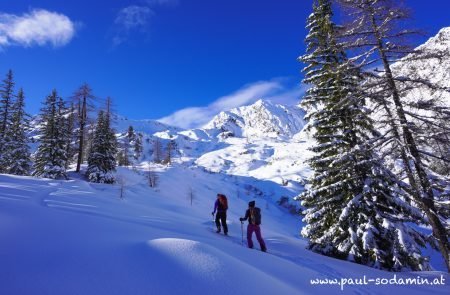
[(181, 60)]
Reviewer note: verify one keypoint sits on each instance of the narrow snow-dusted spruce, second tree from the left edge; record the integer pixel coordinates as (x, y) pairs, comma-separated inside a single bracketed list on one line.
[(19, 162)]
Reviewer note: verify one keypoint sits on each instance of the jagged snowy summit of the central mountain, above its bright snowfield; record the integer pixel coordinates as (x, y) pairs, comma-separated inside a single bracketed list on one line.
[(261, 119)]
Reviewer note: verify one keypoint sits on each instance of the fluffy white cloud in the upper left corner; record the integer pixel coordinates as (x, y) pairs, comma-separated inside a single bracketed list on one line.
[(38, 27)]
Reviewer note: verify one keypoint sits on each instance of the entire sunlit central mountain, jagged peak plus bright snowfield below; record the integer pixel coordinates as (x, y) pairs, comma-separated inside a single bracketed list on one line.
[(263, 141)]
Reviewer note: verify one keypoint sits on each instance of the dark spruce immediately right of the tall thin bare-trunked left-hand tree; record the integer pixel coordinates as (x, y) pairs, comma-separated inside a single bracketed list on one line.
[(101, 161)]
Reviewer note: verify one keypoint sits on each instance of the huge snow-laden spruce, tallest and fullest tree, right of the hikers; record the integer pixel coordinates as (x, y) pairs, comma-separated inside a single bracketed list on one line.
[(355, 207)]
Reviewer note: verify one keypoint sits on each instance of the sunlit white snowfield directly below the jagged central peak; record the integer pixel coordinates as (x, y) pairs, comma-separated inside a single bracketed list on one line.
[(282, 162)]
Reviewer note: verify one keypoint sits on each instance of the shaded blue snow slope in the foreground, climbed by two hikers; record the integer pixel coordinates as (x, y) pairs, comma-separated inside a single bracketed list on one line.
[(74, 237)]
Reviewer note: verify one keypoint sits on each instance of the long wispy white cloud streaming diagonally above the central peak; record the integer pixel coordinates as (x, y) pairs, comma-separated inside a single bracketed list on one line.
[(274, 90)]
